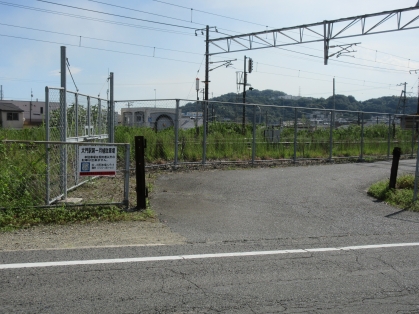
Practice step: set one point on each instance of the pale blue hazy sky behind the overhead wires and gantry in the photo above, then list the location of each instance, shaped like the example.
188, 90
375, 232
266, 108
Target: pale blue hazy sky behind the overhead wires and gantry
151, 48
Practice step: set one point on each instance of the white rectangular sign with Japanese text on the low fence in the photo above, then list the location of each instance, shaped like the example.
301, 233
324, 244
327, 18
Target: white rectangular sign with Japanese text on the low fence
97, 160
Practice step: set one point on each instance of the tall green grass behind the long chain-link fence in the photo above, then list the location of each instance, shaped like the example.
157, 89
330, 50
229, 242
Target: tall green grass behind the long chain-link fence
226, 141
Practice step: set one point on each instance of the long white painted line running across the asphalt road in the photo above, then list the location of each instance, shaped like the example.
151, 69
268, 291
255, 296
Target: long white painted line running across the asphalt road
202, 256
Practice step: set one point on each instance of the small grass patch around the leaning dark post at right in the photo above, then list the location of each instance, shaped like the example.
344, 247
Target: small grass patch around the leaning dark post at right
401, 197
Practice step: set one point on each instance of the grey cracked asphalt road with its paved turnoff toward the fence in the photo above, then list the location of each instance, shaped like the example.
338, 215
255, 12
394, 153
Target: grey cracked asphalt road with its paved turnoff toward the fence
296, 240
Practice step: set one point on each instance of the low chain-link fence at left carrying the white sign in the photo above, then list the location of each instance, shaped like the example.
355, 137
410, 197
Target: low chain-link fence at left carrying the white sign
32, 174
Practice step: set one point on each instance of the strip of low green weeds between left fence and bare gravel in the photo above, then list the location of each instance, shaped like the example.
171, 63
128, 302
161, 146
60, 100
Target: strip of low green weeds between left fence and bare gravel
11, 219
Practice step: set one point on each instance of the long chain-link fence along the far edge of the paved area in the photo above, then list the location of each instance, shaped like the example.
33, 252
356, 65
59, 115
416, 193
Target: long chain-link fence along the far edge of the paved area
214, 132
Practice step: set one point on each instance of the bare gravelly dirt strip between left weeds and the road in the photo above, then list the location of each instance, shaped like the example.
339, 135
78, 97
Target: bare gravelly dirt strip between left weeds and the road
98, 234
